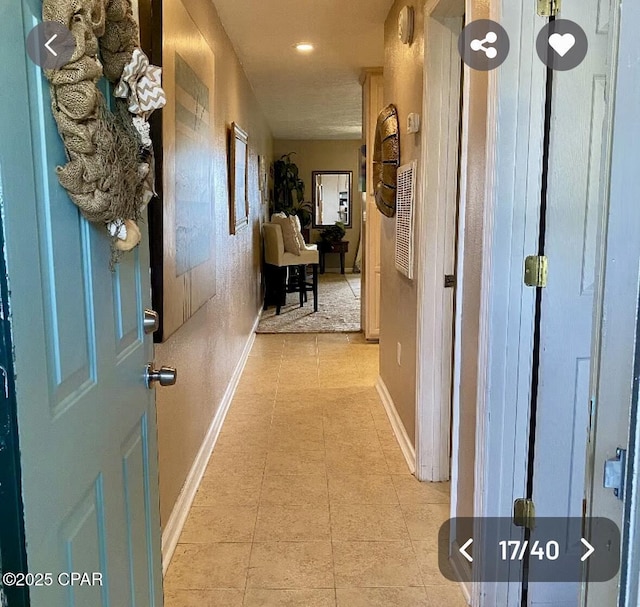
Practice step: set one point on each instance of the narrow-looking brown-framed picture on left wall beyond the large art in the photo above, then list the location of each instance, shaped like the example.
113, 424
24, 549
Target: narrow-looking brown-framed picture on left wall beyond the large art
238, 179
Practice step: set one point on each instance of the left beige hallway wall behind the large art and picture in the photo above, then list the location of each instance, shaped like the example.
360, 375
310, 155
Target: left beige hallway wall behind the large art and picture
208, 346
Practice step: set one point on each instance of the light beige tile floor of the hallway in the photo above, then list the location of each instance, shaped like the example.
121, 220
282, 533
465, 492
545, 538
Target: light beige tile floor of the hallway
307, 500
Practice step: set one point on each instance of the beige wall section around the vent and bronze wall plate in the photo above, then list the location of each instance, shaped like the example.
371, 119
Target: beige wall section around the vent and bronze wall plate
403, 81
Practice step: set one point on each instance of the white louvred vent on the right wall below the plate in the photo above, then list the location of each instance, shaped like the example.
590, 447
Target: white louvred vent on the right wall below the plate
405, 198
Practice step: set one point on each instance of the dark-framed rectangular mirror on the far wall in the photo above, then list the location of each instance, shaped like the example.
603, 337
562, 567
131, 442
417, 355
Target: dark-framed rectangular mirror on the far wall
331, 198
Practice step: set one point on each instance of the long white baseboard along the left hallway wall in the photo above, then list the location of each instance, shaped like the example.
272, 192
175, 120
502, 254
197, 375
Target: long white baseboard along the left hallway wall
173, 528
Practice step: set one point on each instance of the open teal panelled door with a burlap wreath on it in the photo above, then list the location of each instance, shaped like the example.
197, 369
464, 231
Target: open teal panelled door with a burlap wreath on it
86, 420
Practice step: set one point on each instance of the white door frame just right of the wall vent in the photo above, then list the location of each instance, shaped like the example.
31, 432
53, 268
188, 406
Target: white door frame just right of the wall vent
440, 156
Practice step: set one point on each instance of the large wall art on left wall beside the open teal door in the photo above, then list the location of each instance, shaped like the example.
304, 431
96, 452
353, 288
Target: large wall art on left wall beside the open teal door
183, 227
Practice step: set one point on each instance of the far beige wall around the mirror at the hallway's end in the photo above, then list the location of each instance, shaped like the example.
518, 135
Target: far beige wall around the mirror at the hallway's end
333, 155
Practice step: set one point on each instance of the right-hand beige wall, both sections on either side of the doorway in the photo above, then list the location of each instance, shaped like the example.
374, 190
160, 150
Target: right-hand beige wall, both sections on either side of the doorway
403, 72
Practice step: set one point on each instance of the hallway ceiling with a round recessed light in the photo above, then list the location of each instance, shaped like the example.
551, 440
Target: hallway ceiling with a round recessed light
315, 95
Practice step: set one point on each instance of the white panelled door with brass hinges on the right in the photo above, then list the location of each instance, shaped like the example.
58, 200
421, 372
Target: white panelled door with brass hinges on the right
571, 226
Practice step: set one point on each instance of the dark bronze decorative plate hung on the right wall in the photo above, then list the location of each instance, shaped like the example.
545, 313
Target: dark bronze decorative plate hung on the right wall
386, 159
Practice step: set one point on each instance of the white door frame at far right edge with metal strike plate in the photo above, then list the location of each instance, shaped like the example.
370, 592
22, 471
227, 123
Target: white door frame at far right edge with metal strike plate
617, 365
